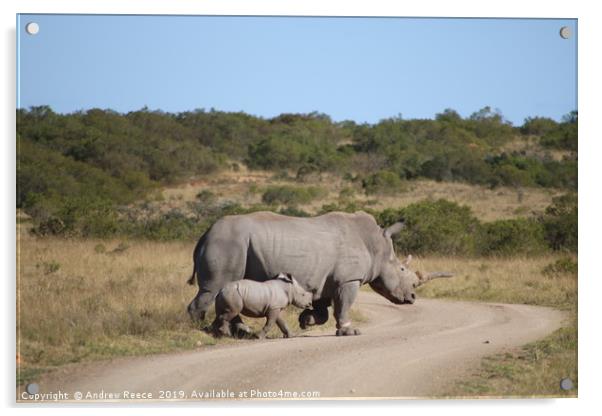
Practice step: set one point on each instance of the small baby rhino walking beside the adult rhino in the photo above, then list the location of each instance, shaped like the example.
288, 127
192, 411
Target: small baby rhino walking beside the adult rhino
257, 300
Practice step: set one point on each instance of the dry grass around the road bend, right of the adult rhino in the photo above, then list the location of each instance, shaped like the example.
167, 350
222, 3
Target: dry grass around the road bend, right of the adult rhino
537, 368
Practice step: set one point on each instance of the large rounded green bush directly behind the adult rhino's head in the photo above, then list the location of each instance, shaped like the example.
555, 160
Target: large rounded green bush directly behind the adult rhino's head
440, 226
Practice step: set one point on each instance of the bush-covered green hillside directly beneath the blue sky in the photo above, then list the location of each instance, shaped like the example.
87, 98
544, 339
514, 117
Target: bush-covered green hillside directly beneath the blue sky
77, 173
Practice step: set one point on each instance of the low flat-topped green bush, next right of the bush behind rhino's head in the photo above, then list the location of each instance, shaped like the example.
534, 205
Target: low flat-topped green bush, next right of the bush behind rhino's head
514, 236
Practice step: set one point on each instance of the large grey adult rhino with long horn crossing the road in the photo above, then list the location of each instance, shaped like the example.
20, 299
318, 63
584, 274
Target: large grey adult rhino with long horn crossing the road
331, 256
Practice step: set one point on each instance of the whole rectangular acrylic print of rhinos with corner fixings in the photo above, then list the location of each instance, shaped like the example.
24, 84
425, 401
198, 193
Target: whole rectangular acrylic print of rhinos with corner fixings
363, 207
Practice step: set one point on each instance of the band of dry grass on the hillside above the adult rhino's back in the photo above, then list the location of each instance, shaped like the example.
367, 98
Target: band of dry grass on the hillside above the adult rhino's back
245, 187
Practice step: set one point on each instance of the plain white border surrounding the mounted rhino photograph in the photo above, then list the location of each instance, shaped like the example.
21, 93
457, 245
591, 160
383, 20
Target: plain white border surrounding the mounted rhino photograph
589, 108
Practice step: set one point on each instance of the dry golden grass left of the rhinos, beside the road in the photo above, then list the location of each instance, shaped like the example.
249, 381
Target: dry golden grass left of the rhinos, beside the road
83, 300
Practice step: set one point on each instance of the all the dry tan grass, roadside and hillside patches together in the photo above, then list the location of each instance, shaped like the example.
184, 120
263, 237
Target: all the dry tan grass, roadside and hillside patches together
82, 300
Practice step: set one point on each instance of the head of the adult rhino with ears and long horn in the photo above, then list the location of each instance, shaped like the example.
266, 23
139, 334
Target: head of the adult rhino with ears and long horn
396, 281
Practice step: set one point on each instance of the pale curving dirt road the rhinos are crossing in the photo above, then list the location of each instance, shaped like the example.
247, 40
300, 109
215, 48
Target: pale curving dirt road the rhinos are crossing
404, 351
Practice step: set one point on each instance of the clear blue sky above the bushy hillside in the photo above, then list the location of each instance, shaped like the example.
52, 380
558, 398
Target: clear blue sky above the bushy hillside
361, 69
